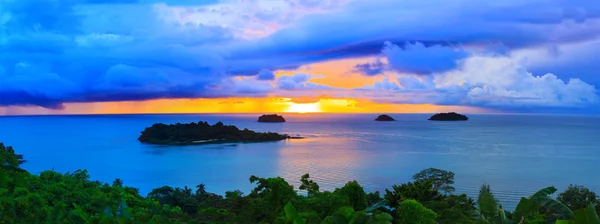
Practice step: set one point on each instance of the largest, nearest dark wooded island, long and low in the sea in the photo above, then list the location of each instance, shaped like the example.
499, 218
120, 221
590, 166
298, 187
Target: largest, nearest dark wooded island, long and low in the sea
203, 133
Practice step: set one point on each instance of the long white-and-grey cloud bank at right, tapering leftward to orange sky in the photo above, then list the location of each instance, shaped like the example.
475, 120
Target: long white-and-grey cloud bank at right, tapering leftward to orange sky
487, 81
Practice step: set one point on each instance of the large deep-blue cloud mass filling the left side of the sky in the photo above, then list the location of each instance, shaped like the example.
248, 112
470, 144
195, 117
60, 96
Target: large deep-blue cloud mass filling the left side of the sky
114, 50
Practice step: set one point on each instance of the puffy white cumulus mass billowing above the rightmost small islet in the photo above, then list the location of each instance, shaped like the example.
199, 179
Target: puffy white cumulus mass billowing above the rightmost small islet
501, 81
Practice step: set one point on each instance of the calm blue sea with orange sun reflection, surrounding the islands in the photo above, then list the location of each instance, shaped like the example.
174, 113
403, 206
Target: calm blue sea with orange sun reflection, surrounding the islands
515, 154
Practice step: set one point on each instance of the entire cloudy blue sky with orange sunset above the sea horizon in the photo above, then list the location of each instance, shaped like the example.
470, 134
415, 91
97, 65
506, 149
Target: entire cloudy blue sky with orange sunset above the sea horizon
337, 56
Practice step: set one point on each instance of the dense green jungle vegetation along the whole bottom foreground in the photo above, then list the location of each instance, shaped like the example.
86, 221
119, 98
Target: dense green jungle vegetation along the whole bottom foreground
52, 197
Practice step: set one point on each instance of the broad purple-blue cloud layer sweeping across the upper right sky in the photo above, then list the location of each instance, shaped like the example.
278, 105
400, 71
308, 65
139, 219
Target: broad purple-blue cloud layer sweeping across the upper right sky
447, 23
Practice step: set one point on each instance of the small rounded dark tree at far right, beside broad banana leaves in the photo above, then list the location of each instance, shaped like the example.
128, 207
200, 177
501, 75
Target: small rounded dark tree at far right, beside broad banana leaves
578, 197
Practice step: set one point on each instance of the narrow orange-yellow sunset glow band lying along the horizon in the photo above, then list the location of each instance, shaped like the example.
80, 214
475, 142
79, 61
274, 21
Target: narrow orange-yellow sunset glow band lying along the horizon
241, 105
